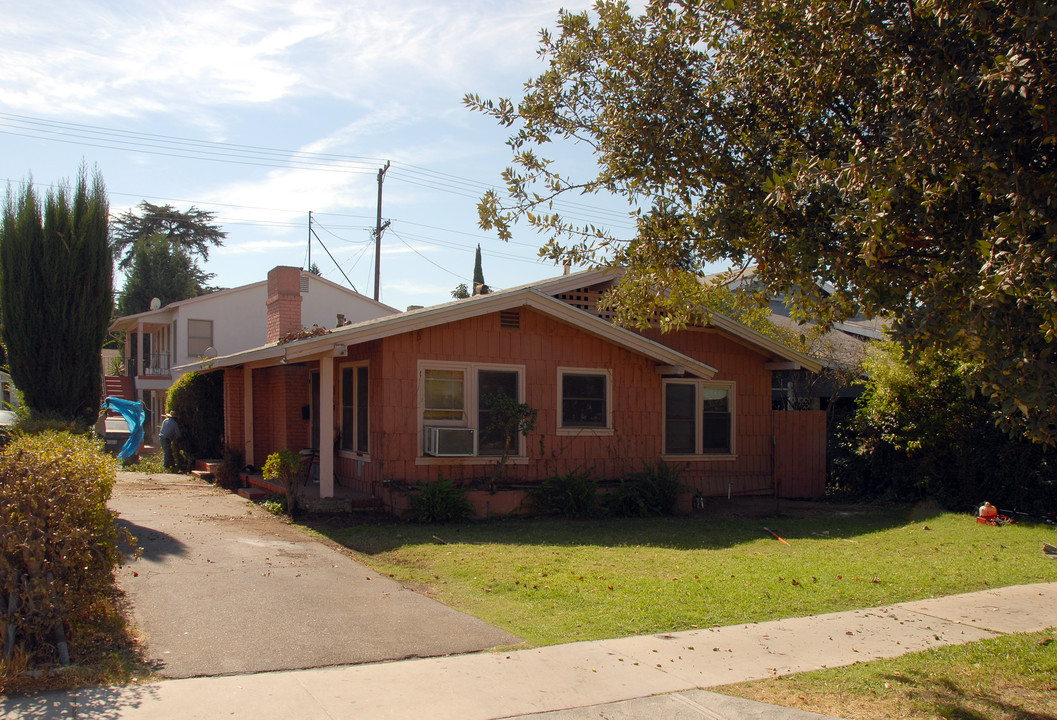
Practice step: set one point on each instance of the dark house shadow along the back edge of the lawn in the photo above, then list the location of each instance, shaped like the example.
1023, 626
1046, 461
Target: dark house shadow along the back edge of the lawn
722, 525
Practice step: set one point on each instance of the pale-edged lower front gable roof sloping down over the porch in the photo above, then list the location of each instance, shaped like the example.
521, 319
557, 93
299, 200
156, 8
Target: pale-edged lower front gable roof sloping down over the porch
527, 297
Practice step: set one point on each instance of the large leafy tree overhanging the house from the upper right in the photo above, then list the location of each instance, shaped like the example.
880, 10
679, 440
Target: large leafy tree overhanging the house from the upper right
903, 153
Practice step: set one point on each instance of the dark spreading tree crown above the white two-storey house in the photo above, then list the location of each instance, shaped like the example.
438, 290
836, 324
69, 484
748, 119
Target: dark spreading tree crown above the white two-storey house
195, 231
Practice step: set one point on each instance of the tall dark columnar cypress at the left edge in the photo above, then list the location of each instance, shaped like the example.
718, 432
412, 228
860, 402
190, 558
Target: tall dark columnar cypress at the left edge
57, 296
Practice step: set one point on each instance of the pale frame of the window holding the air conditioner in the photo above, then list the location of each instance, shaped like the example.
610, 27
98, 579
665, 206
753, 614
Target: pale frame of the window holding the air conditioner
470, 411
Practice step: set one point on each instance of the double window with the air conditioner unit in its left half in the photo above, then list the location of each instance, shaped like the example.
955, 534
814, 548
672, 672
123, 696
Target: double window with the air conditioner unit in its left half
458, 408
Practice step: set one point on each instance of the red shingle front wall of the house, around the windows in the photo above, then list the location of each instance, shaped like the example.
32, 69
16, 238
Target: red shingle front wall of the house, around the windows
542, 345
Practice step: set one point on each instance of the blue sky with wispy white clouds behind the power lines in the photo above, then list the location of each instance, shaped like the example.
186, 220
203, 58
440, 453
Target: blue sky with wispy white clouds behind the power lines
263, 112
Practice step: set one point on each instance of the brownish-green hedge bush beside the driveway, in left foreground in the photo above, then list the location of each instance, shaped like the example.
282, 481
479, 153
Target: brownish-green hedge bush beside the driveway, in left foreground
59, 541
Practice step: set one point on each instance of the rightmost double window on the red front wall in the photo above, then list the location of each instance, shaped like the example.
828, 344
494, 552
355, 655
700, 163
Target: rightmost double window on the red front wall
698, 418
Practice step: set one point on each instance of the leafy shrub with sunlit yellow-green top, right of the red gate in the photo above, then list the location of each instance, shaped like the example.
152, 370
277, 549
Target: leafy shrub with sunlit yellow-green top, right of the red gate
922, 430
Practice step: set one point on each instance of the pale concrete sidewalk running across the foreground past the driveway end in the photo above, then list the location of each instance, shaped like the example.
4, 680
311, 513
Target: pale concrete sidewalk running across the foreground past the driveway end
647, 677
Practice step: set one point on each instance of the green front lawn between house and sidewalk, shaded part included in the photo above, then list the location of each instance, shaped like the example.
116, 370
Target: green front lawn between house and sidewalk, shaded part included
563, 581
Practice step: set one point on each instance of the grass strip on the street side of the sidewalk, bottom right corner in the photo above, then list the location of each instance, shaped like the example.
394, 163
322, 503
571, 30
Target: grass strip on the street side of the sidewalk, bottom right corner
1009, 678
